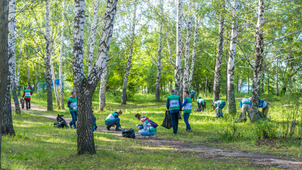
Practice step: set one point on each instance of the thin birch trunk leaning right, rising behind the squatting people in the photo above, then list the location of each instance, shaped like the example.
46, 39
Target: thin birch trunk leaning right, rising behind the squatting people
125, 80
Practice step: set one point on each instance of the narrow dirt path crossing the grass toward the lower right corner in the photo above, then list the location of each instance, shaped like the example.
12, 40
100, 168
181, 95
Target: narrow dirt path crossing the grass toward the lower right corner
259, 160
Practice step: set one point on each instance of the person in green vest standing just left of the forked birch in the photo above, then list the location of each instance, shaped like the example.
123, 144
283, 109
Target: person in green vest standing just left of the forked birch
73, 108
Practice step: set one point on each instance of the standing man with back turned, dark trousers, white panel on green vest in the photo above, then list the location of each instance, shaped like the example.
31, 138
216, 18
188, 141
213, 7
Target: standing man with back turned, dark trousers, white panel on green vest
173, 105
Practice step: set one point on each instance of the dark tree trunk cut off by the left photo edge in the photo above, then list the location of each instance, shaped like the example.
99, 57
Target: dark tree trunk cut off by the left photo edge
3, 58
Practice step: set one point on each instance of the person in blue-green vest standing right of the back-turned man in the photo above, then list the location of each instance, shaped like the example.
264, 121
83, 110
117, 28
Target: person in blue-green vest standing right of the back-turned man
187, 109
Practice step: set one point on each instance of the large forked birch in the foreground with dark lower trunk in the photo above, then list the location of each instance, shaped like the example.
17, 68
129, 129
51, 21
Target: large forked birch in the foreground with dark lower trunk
85, 87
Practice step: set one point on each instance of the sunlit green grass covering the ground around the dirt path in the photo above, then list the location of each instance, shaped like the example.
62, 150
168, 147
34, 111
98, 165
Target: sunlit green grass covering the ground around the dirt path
38, 145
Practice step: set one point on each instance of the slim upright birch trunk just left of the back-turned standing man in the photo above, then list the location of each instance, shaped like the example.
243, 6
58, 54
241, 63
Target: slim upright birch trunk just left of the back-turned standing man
158, 76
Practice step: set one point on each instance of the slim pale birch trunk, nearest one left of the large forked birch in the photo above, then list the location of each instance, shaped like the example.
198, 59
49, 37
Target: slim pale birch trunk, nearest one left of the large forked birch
61, 57
